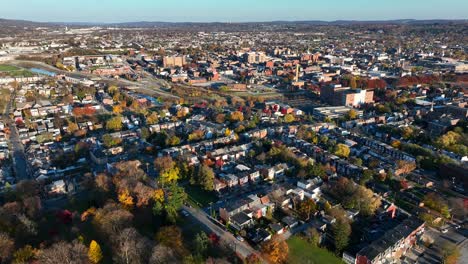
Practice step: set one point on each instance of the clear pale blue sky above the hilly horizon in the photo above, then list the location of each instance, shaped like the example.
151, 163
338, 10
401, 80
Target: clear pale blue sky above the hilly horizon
229, 10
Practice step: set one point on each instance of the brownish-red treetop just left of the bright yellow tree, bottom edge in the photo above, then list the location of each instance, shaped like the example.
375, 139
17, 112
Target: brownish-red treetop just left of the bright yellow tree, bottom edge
63, 252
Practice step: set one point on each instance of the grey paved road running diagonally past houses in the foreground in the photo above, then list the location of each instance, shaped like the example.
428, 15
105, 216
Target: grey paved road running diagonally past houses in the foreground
241, 248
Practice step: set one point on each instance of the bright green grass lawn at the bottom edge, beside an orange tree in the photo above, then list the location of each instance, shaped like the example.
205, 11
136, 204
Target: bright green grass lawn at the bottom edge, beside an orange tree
301, 252
